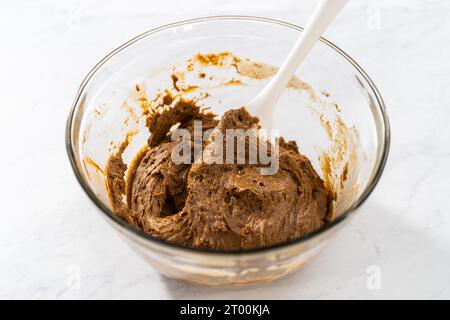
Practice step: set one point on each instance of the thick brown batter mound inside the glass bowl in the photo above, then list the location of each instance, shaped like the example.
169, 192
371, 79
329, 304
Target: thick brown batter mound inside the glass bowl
219, 206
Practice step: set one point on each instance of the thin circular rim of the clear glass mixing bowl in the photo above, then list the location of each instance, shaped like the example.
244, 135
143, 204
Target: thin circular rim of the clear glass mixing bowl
148, 237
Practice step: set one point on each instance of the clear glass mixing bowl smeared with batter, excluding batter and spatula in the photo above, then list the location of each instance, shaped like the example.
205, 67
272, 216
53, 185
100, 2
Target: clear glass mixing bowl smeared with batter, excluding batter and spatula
98, 121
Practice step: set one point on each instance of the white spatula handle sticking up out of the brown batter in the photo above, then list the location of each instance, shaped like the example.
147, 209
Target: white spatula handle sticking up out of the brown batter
263, 105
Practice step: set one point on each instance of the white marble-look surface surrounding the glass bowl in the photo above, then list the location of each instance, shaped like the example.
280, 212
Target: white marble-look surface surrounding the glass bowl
49, 228
